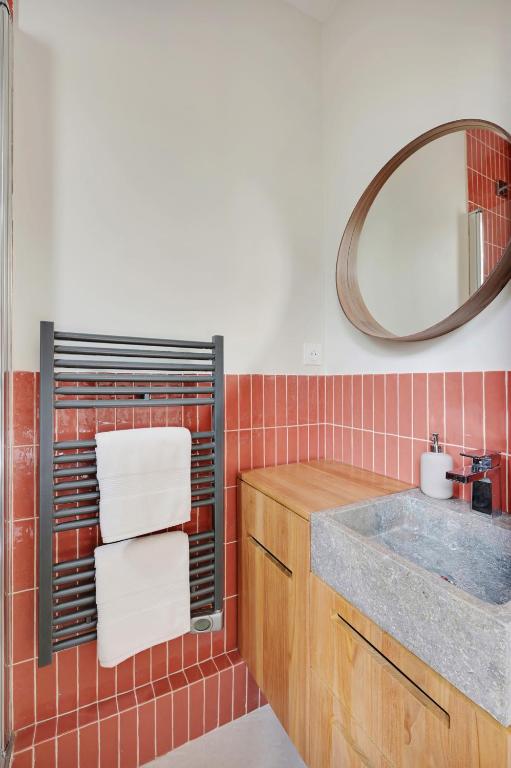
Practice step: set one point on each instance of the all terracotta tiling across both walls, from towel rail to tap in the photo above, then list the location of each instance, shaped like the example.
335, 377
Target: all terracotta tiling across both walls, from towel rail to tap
75, 713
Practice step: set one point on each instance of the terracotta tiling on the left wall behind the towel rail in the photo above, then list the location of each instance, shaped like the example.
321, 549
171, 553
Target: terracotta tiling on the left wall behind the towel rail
76, 713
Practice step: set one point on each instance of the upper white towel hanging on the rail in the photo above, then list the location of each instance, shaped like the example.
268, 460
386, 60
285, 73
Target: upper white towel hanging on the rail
144, 480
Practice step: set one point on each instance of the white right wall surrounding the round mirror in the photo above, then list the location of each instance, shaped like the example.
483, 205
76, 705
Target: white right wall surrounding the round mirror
390, 72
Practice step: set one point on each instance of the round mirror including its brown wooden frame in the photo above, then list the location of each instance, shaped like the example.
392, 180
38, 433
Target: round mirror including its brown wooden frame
428, 245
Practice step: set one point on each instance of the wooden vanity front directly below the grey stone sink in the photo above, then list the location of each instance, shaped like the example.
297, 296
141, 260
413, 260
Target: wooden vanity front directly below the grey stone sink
374, 704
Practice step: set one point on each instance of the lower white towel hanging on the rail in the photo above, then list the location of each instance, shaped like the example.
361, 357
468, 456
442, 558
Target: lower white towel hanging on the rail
142, 594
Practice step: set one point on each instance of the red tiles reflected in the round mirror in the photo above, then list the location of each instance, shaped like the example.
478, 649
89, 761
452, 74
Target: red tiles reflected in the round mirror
489, 160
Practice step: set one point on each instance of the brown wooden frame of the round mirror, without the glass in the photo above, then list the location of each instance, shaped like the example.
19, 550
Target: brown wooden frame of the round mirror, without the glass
348, 289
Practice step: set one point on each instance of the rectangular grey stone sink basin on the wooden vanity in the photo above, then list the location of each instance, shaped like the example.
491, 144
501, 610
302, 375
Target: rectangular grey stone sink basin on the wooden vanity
434, 575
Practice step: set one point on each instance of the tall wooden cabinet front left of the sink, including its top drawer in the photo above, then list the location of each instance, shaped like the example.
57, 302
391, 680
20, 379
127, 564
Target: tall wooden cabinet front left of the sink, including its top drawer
273, 613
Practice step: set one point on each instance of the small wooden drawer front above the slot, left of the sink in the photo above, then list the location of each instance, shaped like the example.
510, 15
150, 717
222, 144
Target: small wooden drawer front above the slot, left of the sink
273, 526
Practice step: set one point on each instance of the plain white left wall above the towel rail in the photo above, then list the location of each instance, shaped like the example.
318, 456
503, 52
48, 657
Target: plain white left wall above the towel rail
167, 175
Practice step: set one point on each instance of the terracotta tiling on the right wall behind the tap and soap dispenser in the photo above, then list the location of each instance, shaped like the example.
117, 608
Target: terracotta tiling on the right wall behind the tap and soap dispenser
383, 422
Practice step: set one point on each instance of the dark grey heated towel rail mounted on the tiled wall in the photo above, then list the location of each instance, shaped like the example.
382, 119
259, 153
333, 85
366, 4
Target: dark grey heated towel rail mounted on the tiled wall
88, 371
